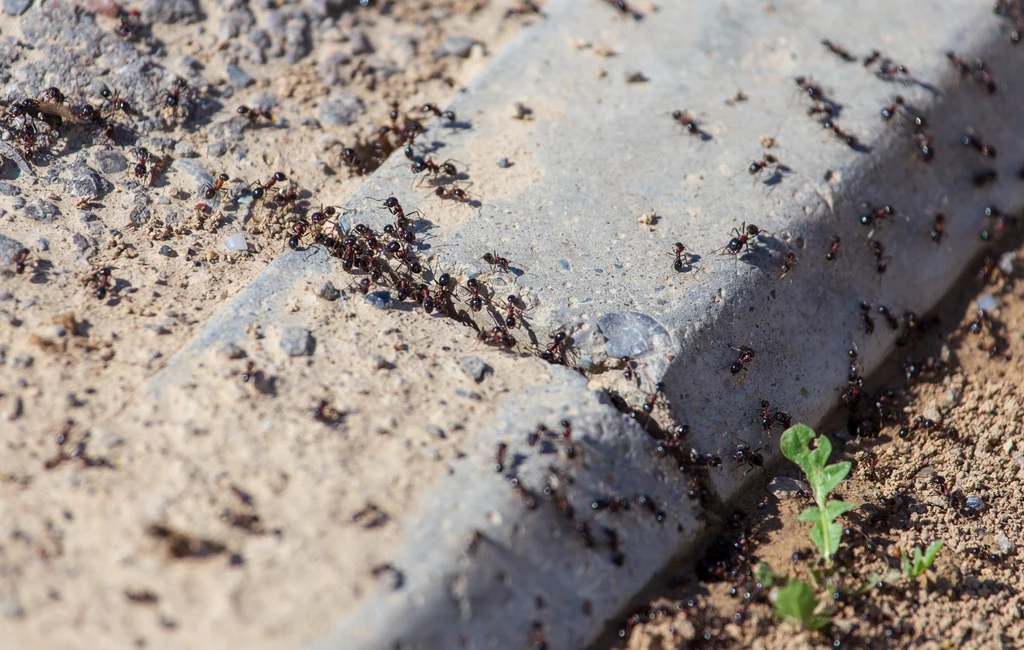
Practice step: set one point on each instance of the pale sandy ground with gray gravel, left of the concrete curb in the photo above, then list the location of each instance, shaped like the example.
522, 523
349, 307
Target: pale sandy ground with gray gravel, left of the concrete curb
225, 506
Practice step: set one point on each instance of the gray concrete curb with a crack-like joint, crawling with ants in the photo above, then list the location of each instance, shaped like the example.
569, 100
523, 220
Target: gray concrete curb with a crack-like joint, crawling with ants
596, 154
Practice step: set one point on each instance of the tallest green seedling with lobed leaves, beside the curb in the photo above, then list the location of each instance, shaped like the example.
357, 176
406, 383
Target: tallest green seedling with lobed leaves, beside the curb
824, 479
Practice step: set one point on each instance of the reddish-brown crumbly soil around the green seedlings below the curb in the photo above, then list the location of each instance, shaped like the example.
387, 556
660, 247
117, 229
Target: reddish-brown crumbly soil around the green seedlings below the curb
958, 417
